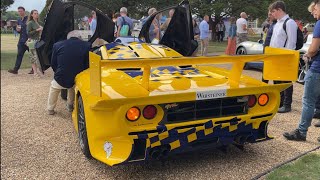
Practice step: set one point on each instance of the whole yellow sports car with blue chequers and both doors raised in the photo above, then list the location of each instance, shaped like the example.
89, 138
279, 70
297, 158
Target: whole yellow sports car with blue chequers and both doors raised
145, 98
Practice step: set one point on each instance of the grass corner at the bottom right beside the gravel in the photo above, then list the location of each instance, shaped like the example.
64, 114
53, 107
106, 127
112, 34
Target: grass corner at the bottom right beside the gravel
307, 167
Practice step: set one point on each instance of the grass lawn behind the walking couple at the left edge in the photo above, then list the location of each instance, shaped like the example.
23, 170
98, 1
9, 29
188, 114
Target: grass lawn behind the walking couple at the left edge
9, 52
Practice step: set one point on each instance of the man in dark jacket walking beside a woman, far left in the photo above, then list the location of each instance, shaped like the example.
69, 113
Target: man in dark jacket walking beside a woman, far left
22, 48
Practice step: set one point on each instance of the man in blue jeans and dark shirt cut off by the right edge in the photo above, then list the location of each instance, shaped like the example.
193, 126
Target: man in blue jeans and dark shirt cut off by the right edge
311, 85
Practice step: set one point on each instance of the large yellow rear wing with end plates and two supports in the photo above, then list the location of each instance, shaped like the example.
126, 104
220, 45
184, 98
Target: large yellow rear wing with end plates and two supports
279, 64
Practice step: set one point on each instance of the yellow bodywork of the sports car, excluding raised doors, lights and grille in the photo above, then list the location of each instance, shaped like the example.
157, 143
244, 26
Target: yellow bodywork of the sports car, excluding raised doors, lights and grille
108, 92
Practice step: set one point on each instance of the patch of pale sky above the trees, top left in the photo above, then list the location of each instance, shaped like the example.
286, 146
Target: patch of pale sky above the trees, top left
28, 5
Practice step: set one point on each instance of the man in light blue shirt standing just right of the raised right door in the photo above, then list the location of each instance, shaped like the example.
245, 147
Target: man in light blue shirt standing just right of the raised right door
204, 35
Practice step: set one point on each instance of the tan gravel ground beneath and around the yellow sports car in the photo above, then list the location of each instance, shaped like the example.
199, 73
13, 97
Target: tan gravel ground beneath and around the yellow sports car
35, 145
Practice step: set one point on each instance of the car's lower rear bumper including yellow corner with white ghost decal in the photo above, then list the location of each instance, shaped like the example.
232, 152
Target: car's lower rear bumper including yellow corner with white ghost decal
165, 140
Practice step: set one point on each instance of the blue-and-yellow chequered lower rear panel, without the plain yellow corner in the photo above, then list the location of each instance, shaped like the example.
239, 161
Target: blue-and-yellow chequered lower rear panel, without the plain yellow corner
157, 145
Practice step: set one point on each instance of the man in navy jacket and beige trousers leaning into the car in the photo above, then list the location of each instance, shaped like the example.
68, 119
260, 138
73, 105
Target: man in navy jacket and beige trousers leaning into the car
69, 58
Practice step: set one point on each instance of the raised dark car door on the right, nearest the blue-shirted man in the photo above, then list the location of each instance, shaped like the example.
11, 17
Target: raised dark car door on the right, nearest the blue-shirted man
178, 34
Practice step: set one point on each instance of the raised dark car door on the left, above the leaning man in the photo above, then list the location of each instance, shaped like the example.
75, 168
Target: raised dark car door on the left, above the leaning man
64, 17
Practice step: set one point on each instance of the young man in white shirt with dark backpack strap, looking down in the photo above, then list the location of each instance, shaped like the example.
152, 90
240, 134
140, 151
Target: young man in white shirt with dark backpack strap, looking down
283, 39
